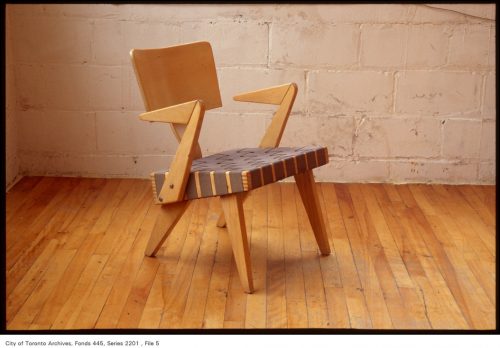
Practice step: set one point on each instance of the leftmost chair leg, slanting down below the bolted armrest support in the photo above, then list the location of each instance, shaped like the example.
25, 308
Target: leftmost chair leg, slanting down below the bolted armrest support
165, 222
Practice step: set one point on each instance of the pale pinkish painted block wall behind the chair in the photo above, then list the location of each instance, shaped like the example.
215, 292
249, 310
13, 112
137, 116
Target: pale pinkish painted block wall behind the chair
398, 93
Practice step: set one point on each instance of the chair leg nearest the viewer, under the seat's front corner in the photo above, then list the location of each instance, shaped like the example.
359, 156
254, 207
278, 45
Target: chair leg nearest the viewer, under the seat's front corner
232, 205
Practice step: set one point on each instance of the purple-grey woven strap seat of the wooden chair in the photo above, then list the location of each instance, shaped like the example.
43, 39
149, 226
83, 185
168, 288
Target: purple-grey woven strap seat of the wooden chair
244, 169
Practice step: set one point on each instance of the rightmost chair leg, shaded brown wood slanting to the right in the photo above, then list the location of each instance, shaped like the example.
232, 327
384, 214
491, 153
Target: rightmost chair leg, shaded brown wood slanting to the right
307, 188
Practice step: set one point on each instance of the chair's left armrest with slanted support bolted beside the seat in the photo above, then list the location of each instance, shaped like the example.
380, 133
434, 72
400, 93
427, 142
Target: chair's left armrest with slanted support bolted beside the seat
191, 115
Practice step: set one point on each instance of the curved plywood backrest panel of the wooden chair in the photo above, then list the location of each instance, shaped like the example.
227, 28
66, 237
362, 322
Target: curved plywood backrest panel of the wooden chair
177, 74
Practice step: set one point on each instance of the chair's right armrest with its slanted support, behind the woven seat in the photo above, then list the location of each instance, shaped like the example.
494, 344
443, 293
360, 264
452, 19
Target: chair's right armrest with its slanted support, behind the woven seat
284, 96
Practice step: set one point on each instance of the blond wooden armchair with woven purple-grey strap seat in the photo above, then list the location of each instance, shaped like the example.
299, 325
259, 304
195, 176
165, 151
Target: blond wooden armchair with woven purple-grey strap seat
178, 84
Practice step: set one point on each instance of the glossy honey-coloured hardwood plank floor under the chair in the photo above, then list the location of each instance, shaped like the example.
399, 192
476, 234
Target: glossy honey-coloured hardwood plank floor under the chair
403, 257
